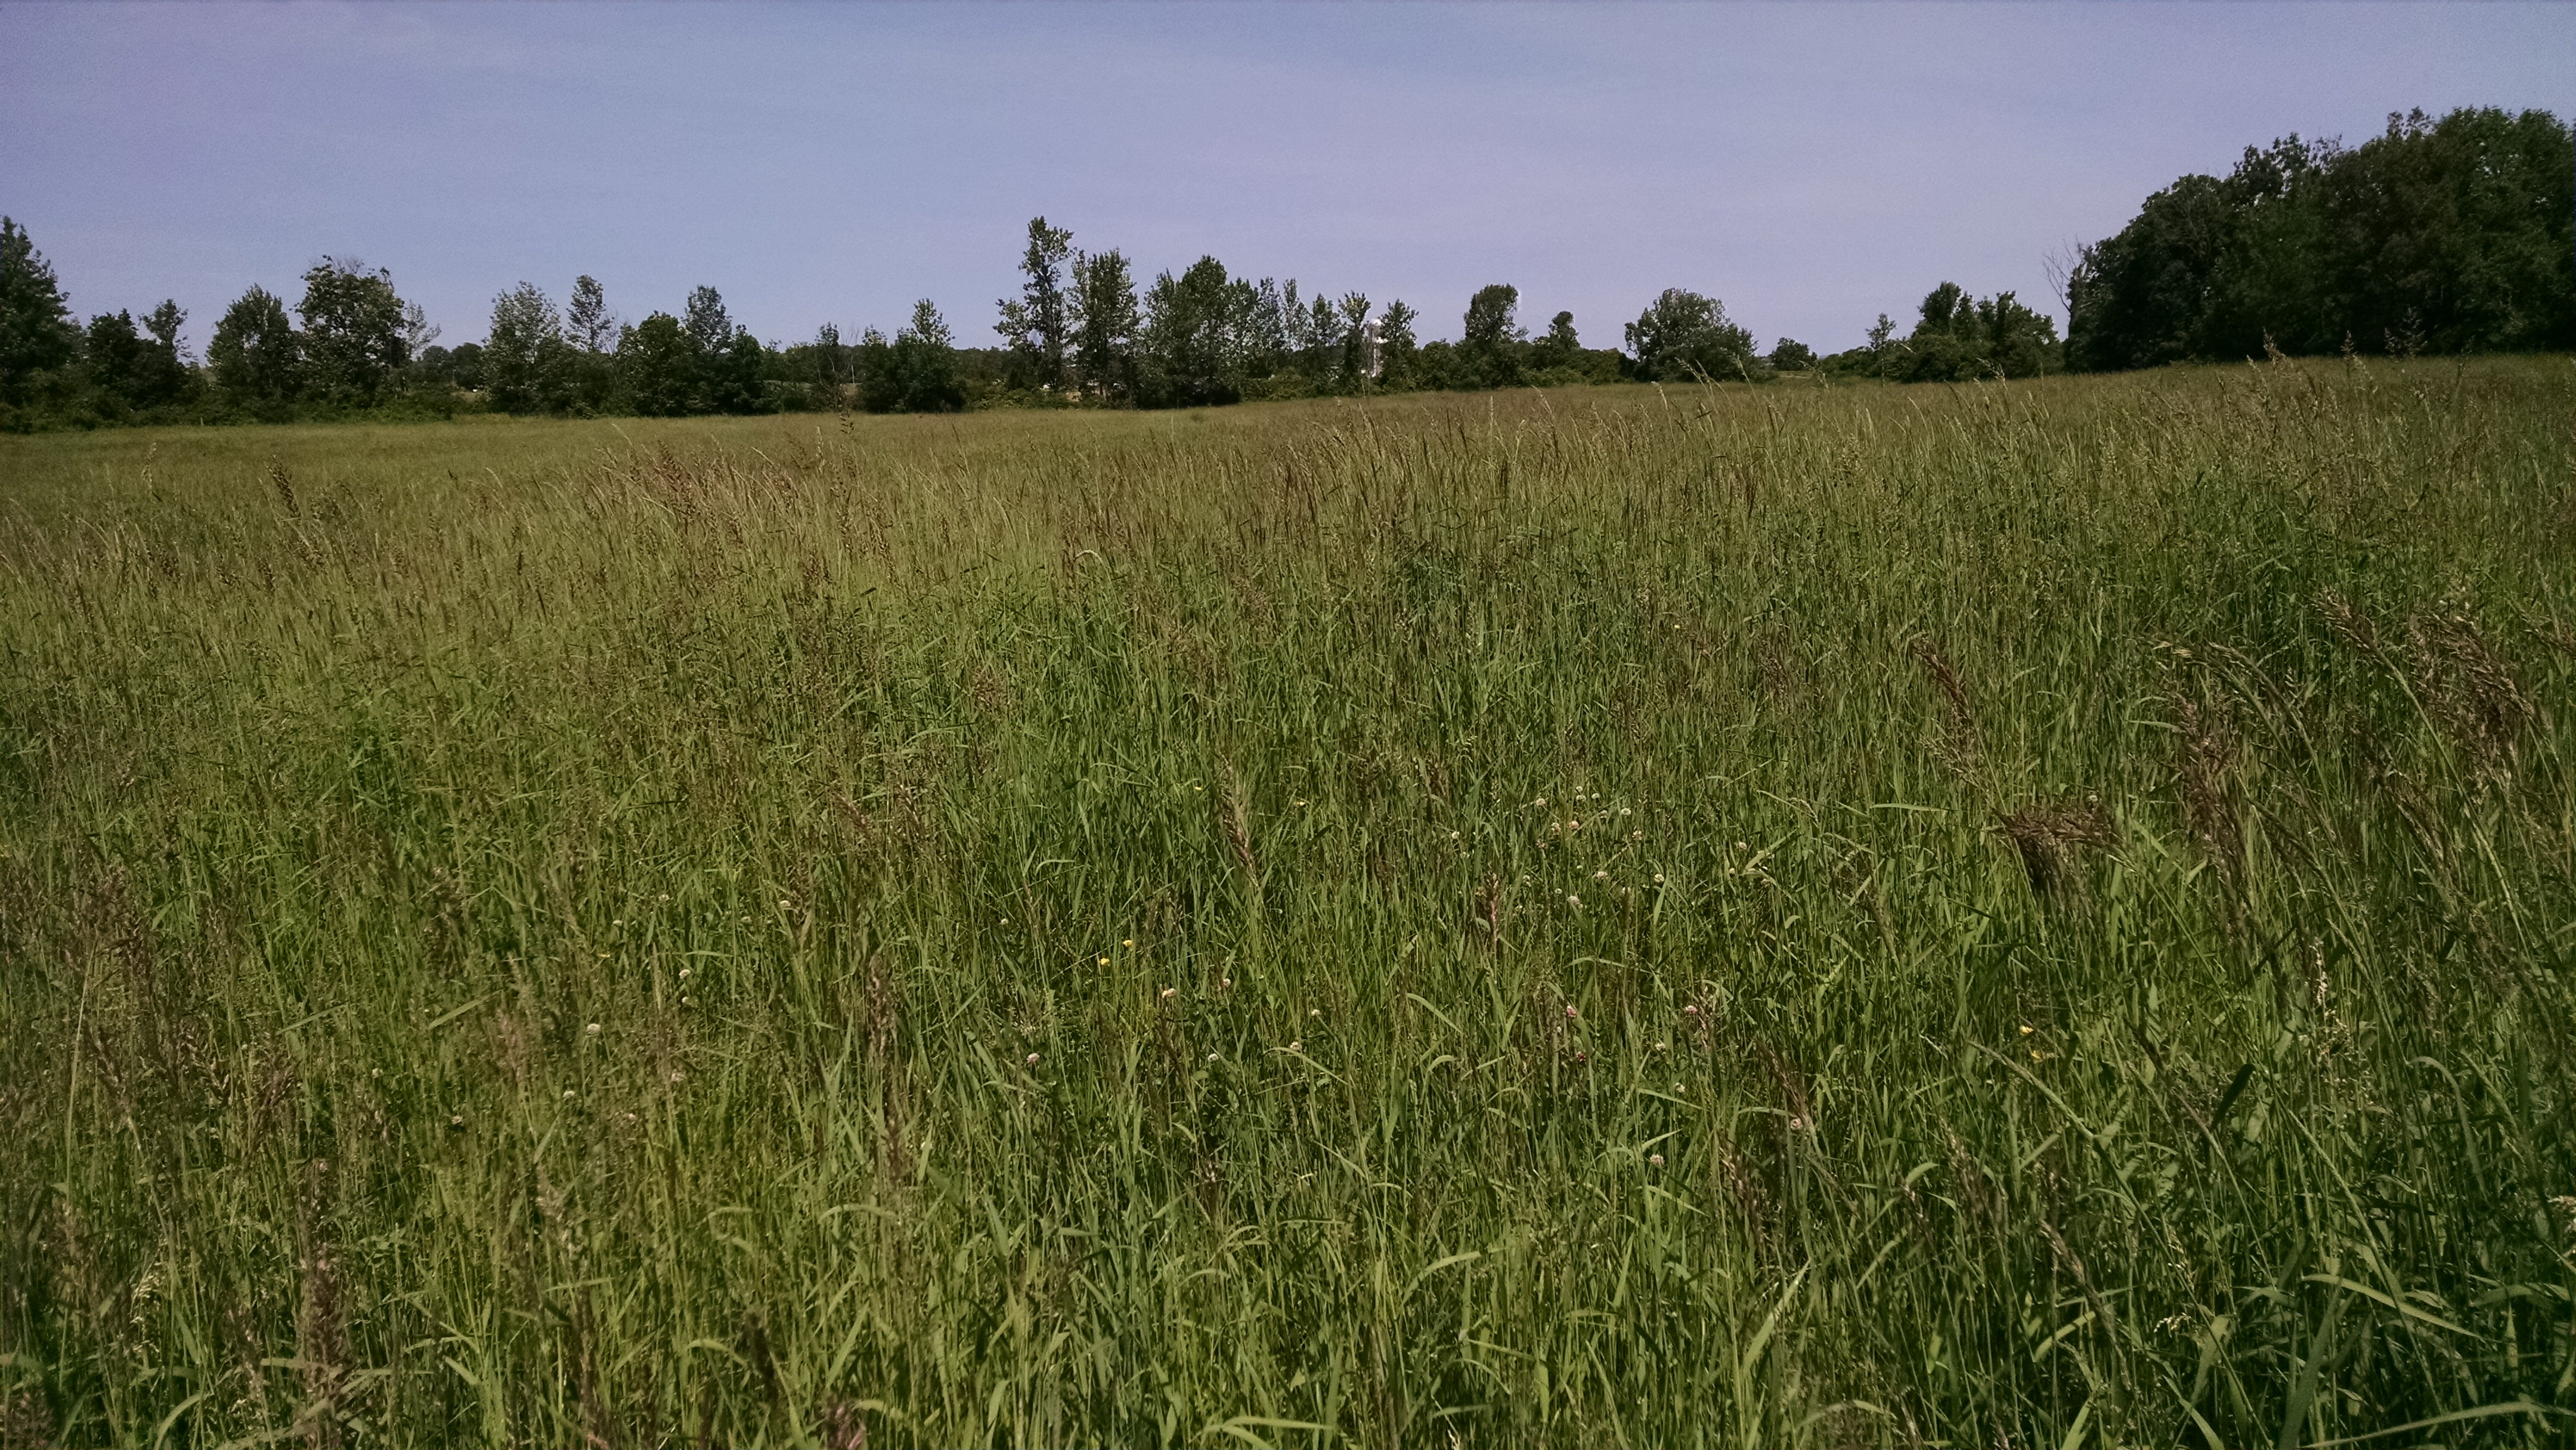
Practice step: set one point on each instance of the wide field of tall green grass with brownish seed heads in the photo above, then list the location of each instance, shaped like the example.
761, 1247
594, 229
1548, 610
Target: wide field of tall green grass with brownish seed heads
2011, 916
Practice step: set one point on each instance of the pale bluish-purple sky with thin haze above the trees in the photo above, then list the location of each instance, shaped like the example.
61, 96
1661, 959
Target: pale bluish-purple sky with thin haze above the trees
1812, 166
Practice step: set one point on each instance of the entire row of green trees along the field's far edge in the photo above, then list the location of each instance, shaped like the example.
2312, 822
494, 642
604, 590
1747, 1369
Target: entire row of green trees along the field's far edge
2436, 238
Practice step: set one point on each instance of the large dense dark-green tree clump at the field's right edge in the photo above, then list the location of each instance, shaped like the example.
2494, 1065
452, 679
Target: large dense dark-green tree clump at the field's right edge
2451, 236
